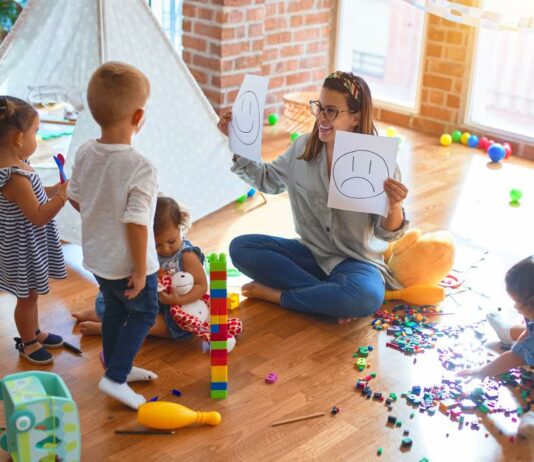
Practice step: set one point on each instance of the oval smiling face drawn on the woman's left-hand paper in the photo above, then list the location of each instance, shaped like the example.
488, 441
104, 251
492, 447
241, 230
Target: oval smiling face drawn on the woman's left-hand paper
246, 118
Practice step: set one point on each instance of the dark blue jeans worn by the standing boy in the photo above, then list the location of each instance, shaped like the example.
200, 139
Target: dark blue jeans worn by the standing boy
125, 323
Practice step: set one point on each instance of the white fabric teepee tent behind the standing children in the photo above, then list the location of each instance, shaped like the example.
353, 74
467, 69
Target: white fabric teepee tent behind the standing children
57, 44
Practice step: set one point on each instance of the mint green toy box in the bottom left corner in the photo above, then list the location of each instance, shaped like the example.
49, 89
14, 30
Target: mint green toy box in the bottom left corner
41, 418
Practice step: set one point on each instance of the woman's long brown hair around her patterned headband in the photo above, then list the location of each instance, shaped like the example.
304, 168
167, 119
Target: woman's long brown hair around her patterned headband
361, 103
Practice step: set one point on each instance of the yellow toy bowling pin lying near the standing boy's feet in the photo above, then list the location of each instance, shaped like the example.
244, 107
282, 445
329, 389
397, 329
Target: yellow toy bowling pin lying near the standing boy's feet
163, 415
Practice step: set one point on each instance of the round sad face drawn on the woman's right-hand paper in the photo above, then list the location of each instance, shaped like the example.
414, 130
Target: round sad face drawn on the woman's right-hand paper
355, 174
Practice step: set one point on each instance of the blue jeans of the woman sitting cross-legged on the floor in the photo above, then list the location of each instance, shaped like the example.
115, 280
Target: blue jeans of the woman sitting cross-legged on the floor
353, 288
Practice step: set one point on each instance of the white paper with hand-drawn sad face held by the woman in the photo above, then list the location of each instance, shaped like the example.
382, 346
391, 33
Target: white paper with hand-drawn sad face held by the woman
360, 165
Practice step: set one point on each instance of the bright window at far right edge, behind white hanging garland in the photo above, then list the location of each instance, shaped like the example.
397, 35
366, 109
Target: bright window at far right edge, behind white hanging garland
502, 87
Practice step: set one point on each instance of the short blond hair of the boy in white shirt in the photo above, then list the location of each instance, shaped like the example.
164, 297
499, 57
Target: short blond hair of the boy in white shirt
116, 90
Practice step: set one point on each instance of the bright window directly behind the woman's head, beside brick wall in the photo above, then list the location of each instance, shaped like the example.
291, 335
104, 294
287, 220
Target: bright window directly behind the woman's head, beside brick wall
381, 40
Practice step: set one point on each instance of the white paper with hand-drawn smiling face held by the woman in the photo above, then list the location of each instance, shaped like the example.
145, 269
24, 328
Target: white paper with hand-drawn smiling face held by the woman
245, 131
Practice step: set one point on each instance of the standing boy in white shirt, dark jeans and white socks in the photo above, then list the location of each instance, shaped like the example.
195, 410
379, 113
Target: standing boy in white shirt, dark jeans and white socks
114, 188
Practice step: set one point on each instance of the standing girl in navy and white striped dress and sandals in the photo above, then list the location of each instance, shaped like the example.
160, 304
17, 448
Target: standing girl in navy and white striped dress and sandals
30, 251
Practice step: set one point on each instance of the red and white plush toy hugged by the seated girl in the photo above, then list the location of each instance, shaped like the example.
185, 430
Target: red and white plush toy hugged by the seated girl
195, 317
